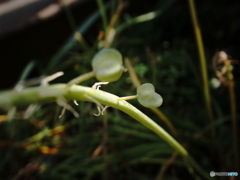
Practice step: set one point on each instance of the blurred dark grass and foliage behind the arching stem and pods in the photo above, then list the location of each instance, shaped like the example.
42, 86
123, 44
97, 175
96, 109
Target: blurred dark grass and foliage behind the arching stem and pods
163, 52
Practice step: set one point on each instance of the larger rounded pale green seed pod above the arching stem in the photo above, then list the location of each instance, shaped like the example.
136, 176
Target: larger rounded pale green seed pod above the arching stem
107, 65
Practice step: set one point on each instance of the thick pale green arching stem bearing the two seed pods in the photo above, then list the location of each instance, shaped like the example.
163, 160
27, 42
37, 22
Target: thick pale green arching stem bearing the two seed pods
31, 95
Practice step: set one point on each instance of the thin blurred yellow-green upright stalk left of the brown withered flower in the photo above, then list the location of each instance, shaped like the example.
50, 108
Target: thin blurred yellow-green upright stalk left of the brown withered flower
203, 66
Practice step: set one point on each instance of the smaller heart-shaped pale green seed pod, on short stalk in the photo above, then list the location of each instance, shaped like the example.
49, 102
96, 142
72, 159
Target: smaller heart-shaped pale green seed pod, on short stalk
147, 96
